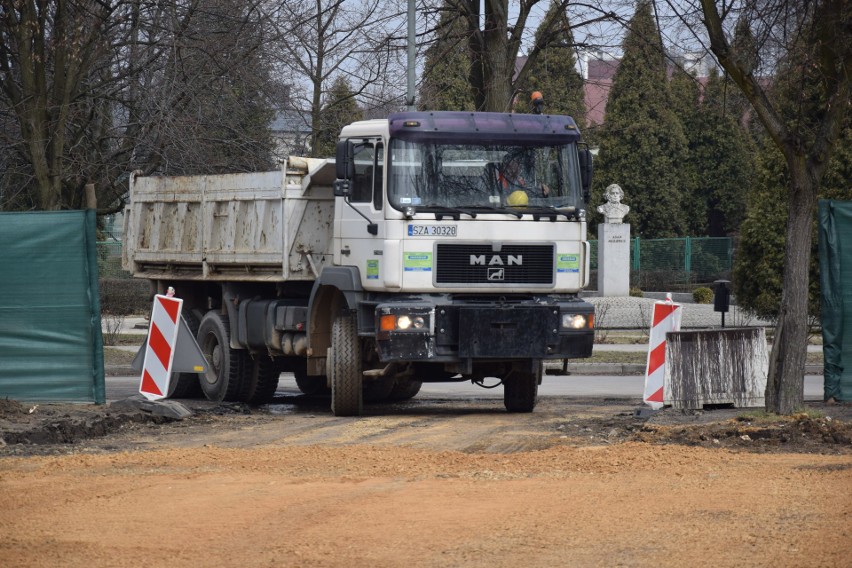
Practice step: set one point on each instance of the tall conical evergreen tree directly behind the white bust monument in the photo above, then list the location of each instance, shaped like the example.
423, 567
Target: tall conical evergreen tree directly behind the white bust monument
643, 147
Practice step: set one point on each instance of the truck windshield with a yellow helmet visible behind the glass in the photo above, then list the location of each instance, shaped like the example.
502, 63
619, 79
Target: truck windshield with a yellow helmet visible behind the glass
431, 174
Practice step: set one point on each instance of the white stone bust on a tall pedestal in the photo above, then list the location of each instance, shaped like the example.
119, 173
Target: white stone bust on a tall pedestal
613, 245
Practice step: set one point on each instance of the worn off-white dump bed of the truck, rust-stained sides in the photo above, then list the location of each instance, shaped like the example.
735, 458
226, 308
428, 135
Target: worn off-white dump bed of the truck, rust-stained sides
266, 226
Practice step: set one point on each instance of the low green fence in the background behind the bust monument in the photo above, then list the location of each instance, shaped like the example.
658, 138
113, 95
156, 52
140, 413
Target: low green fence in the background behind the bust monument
669, 264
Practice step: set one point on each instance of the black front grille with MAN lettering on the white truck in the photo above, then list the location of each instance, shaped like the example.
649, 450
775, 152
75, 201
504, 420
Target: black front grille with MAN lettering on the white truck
479, 264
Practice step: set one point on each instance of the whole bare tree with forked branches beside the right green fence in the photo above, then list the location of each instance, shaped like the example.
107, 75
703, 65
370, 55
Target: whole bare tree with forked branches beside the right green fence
809, 43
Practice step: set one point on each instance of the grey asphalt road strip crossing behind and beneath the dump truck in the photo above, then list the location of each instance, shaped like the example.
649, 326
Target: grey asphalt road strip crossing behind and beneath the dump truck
594, 386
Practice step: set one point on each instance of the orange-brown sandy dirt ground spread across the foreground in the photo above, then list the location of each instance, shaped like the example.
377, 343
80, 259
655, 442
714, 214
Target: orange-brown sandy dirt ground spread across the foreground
437, 483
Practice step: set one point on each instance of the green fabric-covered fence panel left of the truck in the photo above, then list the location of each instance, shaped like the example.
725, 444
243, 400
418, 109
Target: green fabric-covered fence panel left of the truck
51, 347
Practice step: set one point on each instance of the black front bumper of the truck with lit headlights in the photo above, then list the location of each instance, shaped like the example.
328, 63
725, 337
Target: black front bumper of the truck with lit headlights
451, 329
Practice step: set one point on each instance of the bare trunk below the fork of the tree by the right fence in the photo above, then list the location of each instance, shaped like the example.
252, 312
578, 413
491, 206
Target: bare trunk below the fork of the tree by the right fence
785, 383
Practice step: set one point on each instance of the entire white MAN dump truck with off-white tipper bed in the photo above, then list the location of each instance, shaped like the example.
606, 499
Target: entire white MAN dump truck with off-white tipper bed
437, 246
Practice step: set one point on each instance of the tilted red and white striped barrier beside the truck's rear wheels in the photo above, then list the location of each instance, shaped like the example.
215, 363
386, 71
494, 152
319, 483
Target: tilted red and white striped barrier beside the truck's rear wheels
160, 348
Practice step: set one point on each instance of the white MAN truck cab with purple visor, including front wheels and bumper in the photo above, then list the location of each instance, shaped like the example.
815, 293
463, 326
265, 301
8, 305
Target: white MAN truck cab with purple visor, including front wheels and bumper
459, 250
